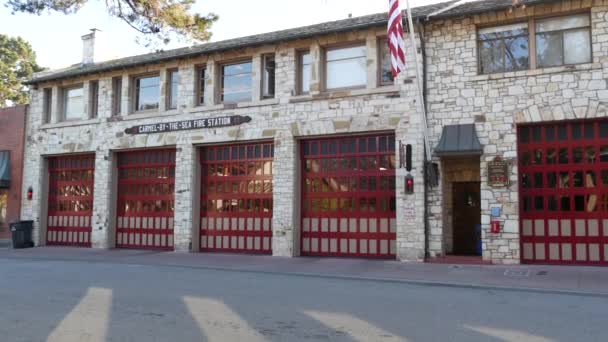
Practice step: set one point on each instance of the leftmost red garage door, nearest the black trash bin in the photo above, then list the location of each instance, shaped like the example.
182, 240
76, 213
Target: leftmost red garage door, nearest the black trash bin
70, 202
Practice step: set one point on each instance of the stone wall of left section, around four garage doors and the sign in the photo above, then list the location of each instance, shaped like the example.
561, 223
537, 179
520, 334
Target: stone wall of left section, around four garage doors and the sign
284, 119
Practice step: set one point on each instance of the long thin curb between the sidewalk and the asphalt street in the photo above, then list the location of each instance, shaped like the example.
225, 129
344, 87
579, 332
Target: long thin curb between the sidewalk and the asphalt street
413, 282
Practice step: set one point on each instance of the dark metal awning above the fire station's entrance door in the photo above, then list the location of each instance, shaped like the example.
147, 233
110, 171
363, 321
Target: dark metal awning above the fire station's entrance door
459, 140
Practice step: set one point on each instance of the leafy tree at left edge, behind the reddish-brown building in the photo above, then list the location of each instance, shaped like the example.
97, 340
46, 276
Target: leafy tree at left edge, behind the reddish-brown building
17, 64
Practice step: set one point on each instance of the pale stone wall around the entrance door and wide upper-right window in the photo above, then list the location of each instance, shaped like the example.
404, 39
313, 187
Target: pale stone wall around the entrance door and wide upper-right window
496, 103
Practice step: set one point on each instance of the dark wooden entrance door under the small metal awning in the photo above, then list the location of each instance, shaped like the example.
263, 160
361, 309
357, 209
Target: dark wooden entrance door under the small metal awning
466, 216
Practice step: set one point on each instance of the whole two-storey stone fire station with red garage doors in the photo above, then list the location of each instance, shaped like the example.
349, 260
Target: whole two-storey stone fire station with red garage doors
288, 142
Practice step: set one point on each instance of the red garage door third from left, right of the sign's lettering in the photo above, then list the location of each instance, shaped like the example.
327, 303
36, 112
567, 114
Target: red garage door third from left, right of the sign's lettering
236, 198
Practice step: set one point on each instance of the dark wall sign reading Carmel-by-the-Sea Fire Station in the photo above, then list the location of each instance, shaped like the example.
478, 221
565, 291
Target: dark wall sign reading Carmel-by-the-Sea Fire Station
163, 127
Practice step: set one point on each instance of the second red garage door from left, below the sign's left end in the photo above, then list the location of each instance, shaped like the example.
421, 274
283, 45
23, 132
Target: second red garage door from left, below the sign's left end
146, 186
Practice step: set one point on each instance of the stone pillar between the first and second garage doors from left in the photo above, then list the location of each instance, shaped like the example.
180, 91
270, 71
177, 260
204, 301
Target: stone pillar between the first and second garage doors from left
104, 201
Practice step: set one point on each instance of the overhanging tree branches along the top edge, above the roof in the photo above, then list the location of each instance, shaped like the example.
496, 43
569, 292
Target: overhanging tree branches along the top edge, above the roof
157, 20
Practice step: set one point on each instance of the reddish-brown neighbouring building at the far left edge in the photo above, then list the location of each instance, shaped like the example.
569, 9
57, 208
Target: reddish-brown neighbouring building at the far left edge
12, 137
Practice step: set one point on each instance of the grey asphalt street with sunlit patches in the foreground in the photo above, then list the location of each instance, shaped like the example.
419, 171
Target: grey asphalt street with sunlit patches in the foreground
68, 301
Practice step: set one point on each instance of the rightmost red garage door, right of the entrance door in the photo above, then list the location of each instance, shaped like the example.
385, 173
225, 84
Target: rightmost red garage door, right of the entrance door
563, 186
